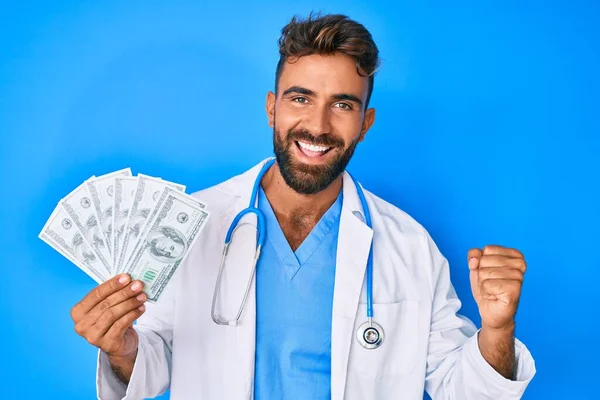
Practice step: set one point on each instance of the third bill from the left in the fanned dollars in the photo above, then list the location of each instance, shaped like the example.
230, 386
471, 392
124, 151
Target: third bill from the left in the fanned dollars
102, 191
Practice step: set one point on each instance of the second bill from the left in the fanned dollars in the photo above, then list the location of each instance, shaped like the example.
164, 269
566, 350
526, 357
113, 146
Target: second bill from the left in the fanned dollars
78, 204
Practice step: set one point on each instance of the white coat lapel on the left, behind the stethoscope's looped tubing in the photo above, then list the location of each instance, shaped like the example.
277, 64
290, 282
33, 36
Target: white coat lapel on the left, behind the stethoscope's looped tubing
236, 274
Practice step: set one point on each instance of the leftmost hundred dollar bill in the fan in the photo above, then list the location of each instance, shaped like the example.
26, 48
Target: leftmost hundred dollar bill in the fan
61, 233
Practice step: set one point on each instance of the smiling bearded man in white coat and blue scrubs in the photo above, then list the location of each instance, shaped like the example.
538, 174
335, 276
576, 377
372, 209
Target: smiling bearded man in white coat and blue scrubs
297, 335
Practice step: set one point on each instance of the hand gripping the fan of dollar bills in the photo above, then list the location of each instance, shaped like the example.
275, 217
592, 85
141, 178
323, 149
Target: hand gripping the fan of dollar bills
105, 316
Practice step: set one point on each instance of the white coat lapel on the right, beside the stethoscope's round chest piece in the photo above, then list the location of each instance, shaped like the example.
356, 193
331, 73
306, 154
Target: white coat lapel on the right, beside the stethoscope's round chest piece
354, 241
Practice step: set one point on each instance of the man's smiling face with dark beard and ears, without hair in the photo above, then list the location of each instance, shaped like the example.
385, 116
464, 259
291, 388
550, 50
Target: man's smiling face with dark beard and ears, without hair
318, 118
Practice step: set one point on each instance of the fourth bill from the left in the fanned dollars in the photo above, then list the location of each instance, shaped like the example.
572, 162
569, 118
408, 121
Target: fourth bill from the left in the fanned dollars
124, 190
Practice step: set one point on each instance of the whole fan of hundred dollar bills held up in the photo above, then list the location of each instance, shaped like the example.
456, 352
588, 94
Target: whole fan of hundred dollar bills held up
119, 223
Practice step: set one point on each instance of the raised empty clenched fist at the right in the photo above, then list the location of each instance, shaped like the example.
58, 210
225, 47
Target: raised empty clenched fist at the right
496, 280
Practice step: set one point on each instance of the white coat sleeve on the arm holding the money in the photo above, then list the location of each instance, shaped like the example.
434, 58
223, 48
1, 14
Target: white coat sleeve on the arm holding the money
152, 368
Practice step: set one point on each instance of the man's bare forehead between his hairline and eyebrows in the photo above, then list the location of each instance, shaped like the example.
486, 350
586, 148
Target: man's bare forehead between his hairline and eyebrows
324, 74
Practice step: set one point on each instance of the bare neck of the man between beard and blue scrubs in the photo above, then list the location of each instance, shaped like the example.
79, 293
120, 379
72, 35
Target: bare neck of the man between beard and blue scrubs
288, 203
